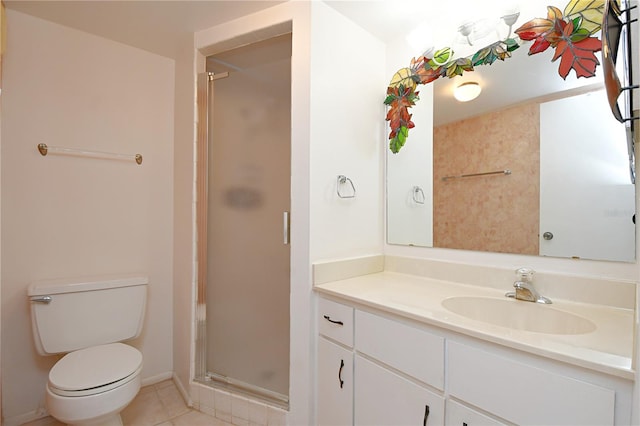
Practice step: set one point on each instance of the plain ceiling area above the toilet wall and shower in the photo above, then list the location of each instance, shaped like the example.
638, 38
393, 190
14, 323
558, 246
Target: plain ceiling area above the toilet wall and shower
155, 26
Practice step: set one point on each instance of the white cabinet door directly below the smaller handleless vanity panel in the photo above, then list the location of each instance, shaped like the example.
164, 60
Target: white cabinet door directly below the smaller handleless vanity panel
382, 397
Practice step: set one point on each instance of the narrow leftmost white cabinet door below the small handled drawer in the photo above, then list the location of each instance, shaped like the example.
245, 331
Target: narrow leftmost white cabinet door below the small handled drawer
335, 384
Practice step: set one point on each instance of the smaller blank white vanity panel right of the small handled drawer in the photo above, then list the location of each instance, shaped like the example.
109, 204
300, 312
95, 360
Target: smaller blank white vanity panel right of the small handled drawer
409, 349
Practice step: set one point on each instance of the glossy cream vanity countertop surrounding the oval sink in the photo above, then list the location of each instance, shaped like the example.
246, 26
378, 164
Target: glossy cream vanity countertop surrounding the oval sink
608, 349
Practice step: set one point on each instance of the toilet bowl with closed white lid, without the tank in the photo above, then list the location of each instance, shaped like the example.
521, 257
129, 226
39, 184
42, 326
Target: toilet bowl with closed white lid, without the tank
91, 386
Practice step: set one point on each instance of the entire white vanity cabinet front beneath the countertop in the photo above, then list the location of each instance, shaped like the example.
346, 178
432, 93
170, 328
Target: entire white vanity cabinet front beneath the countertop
399, 371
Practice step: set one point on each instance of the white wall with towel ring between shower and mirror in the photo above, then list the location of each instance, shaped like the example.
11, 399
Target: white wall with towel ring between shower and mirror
347, 92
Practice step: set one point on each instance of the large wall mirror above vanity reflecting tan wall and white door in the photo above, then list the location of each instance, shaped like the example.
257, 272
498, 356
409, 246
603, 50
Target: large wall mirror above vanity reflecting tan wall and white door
535, 165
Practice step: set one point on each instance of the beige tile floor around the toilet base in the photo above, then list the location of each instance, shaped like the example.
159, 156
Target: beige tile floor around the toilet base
155, 405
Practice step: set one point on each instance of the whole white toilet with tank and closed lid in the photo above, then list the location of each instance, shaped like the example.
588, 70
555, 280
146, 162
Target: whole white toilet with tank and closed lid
87, 320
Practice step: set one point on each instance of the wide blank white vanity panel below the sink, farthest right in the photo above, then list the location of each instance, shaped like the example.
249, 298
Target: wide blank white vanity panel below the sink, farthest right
524, 394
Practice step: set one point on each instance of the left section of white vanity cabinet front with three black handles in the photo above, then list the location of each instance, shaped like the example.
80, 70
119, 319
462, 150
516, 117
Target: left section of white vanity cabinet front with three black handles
391, 373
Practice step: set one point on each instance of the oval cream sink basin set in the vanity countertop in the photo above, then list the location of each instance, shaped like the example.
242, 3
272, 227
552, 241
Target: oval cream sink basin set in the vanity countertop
519, 315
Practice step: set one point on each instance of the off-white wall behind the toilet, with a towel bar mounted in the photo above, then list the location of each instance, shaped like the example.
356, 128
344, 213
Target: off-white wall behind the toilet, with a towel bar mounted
67, 216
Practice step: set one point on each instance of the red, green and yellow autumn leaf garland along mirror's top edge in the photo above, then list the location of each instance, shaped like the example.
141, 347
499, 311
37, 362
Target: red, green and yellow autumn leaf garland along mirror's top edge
569, 32
